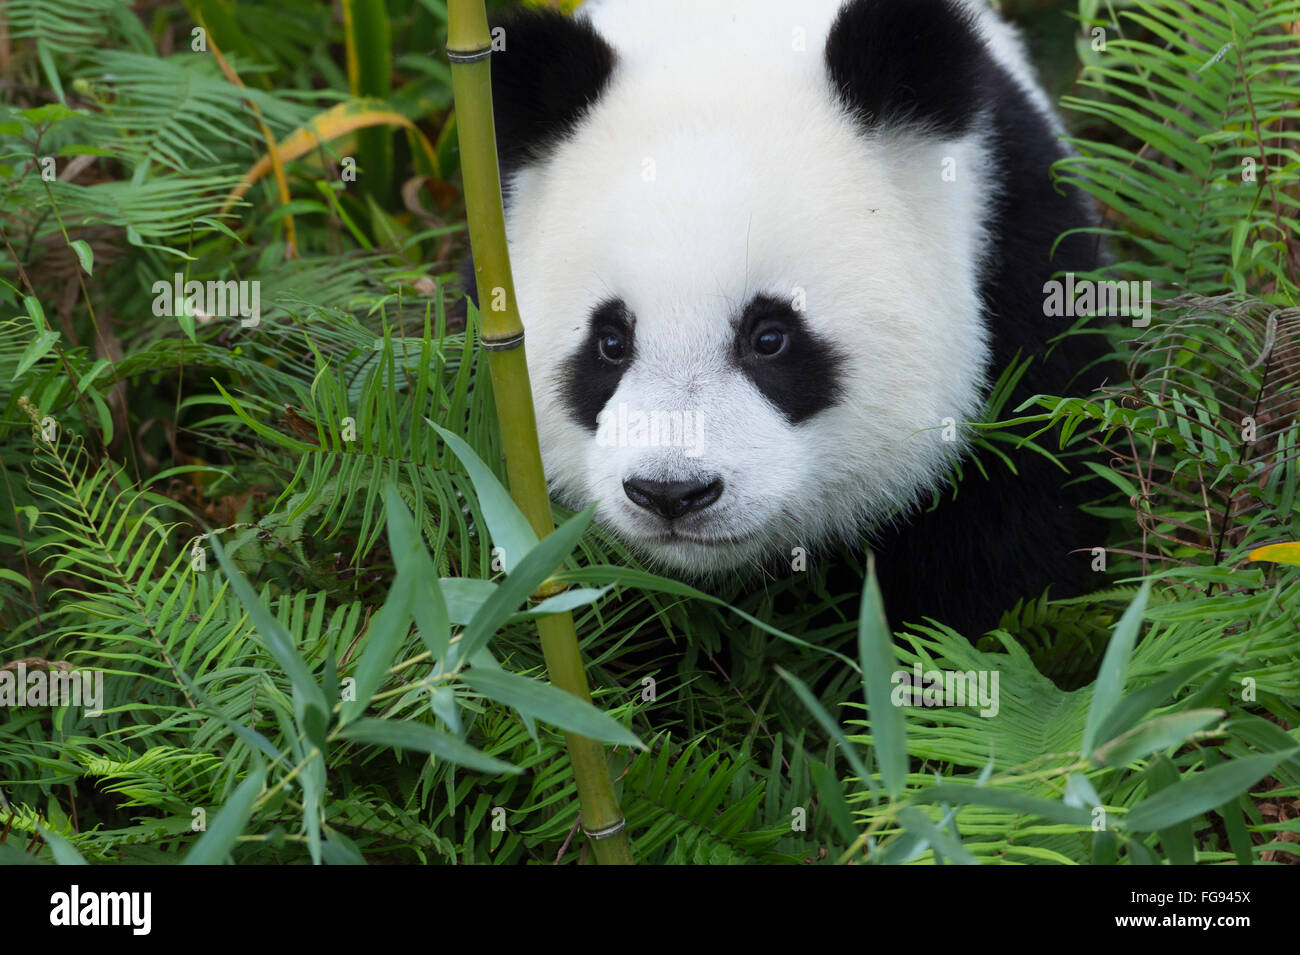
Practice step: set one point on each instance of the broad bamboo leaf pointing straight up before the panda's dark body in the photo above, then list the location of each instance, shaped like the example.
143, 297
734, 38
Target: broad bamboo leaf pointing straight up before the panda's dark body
877, 656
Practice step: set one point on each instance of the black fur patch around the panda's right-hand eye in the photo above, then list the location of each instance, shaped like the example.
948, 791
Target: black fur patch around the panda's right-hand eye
804, 379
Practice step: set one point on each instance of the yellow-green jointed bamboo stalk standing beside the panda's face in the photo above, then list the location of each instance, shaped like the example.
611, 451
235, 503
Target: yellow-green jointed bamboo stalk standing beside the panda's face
470, 47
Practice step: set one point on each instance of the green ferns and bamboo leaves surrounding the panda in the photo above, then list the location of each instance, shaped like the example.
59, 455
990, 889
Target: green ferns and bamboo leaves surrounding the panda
275, 526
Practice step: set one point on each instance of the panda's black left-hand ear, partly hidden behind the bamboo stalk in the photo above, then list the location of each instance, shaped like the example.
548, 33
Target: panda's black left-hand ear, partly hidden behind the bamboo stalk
547, 71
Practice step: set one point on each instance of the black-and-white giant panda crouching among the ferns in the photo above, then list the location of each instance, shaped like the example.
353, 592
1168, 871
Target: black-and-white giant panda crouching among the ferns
768, 254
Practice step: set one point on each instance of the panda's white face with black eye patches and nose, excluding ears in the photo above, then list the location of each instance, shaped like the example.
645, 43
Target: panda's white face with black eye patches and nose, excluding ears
749, 319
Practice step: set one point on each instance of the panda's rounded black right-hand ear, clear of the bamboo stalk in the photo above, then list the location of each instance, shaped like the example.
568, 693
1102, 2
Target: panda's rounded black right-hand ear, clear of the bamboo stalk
909, 64
